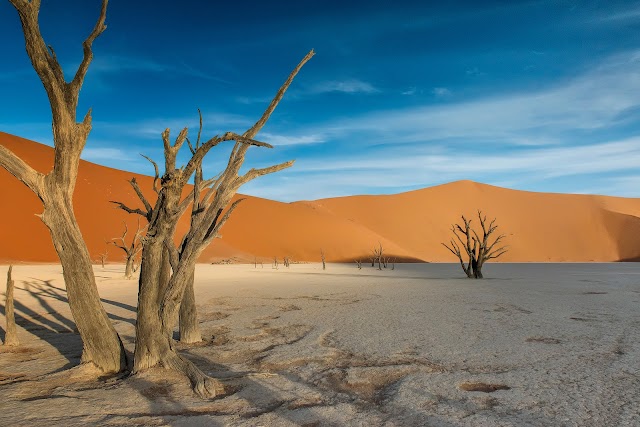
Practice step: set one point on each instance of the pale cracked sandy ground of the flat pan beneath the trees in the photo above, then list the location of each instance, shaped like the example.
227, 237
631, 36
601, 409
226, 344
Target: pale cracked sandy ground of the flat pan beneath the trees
351, 347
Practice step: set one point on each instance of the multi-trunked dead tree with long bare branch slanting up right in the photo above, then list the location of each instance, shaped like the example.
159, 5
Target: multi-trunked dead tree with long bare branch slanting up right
162, 290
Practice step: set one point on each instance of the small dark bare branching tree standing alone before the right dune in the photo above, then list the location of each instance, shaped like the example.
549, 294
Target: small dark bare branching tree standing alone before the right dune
473, 249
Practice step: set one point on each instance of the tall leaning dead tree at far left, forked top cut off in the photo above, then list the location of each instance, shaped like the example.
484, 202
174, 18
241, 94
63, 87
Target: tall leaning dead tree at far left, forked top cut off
101, 343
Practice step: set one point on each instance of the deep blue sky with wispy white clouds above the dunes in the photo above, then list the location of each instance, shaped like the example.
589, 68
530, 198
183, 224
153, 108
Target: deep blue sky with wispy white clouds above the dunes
532, 95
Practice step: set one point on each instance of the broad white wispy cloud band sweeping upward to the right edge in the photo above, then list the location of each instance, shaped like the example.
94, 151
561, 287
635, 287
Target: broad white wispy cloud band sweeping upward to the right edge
598, 99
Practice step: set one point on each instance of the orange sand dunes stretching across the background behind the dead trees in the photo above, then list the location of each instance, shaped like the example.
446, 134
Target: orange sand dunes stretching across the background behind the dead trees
410, 226
